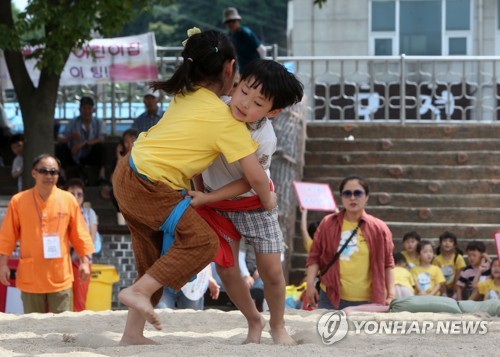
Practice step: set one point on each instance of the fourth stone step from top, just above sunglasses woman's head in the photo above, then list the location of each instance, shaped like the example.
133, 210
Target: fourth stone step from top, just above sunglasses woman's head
319, 173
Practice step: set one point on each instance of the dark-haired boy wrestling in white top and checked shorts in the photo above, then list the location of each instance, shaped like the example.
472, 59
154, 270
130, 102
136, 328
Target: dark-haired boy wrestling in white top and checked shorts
265, 88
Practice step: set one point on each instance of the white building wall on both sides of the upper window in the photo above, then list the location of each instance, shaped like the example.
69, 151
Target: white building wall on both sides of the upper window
341, 28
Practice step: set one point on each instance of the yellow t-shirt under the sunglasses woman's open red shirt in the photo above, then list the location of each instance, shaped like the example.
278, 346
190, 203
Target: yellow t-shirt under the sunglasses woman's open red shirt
355, 278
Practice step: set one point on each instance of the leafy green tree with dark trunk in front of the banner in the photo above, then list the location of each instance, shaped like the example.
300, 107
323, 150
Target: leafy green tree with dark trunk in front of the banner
54, 27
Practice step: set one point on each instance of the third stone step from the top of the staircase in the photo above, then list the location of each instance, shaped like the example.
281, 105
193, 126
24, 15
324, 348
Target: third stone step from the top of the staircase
417, 159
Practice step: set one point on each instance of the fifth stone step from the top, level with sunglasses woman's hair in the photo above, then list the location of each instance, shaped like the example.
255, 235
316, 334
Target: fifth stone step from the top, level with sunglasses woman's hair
425, 186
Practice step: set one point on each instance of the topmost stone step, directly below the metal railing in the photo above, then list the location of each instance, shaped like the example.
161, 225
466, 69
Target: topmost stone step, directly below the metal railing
396, 131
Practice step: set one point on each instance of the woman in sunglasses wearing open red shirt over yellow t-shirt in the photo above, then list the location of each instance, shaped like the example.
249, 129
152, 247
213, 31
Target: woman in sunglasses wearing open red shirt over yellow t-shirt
353, 251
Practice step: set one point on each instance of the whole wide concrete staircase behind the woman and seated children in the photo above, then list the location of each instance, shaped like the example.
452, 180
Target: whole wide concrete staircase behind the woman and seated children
428, 178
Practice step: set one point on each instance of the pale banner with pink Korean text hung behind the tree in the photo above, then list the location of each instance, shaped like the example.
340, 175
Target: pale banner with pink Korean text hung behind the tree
122, 59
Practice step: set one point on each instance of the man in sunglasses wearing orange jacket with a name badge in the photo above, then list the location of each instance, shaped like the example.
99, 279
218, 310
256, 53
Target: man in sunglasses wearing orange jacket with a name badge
44, 221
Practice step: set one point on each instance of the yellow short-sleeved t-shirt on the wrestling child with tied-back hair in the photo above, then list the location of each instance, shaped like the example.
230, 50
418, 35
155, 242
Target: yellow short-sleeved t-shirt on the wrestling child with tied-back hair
194, 130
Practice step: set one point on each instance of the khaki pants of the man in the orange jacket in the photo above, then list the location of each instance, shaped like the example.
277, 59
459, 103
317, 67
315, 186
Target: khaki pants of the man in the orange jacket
52, 302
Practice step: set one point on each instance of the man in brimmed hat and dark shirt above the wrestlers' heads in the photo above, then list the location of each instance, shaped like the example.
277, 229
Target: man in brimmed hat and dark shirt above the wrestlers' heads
247, 44
